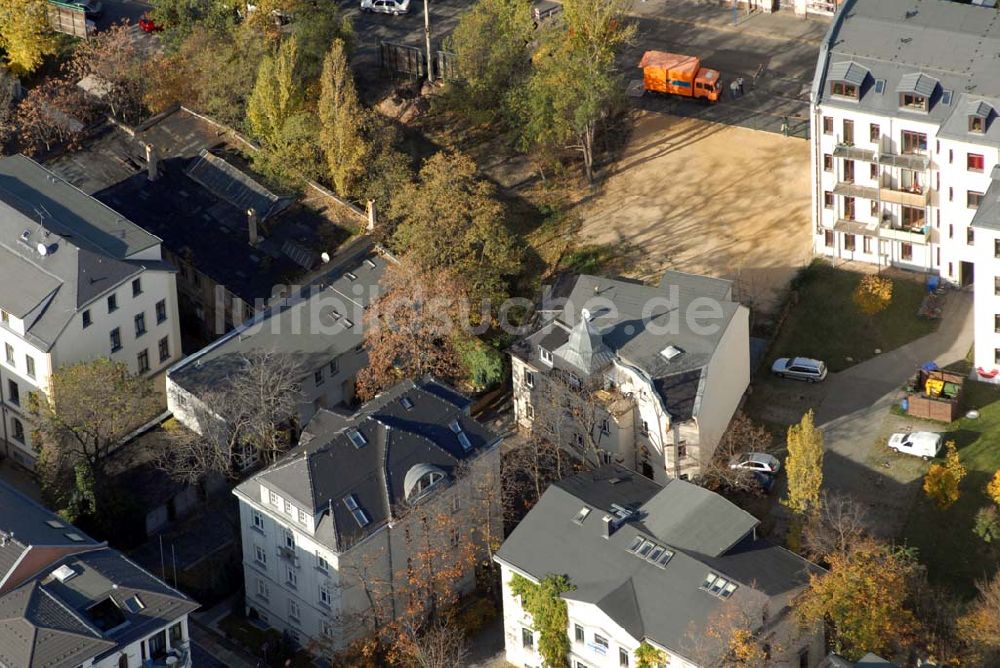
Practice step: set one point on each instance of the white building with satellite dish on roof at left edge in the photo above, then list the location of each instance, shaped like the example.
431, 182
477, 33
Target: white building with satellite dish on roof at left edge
77, 282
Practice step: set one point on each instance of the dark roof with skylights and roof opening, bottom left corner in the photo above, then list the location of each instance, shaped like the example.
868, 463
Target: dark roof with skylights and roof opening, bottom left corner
45, 623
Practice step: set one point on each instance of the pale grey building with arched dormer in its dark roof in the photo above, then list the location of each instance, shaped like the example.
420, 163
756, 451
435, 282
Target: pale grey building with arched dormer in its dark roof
334, 532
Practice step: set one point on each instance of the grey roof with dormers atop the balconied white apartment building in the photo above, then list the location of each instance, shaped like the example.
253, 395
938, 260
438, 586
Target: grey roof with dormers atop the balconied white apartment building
929, 47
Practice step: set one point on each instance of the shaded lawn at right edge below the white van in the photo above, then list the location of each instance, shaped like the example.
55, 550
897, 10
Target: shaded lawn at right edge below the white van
954, 555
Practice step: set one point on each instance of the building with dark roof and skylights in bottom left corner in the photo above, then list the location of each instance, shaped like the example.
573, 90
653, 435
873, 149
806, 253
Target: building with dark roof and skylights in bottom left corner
67, 601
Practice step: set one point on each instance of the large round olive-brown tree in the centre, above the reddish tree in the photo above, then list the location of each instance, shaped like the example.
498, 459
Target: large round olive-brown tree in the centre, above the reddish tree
451, 220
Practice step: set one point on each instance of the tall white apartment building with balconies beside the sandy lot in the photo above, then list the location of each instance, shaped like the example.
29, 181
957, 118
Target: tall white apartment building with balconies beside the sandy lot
905, 139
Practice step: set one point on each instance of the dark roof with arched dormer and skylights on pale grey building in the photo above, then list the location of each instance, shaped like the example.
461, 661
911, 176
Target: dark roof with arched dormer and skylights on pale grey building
328, 466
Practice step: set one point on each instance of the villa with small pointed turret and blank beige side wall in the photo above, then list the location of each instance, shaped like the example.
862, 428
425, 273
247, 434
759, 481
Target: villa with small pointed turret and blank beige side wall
670, 363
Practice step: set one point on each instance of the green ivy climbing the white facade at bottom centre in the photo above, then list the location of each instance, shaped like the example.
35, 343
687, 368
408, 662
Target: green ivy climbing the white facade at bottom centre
549, 614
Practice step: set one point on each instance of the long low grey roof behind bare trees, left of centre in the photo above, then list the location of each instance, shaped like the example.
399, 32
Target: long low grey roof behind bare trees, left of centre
312, 327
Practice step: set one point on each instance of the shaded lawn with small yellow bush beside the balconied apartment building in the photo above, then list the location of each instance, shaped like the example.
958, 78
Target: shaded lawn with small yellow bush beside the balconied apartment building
827, 325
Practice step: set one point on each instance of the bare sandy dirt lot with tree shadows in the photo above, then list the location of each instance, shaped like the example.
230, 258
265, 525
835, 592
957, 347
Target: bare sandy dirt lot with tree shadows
706, 198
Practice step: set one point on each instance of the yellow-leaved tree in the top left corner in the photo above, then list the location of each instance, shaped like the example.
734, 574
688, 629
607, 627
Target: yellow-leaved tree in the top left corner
25, 36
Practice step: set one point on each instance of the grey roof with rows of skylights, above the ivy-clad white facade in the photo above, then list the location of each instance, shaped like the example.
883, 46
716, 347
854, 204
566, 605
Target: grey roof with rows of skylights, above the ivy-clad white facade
650, 602
